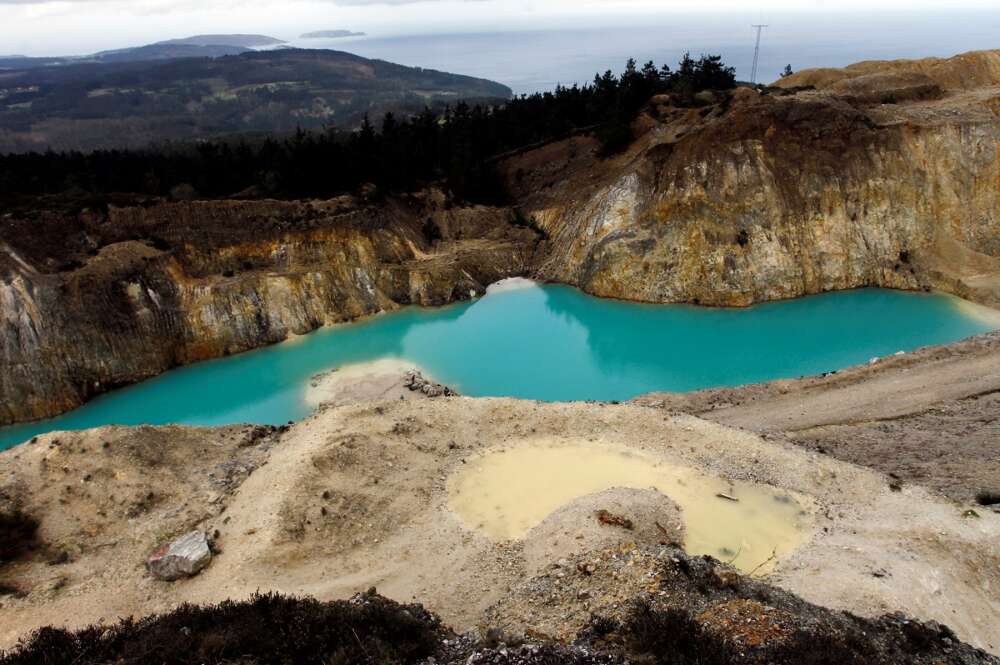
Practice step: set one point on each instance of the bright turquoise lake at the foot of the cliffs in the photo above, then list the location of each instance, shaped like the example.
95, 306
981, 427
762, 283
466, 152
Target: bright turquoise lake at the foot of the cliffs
547, 343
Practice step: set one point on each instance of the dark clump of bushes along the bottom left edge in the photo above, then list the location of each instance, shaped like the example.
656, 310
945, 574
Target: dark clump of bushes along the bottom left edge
267, 628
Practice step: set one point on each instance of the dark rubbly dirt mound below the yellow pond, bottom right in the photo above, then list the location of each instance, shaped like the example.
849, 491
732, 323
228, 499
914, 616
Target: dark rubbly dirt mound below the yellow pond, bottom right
659, 605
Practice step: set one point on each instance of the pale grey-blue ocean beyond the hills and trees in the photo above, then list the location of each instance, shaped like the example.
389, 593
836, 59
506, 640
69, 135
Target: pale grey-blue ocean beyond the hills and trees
538, 60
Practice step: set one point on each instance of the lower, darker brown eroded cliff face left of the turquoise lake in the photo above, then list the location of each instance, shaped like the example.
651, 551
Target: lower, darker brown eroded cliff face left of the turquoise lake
108, 300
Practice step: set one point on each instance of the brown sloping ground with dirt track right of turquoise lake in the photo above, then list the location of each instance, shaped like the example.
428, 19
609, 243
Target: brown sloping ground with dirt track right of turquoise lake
930, 417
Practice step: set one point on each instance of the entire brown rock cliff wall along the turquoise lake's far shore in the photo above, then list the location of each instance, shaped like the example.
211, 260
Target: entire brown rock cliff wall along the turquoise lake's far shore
884, 174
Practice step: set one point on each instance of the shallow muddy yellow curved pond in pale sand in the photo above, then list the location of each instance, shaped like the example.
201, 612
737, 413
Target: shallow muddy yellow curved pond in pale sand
504, 493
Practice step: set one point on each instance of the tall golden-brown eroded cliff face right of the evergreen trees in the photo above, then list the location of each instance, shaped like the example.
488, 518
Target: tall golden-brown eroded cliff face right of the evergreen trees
761, 197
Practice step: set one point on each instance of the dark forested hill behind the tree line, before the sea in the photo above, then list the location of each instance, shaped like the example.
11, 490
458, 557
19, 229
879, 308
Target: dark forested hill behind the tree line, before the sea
132, 104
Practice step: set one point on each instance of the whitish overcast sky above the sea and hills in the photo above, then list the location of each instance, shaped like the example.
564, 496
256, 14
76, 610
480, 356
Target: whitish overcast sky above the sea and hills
34, 27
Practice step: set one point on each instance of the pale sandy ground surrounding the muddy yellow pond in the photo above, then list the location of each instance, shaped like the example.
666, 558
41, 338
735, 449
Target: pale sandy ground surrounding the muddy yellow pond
357, 496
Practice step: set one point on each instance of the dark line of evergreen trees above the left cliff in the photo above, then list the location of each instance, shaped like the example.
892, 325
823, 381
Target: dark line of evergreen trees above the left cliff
456, 146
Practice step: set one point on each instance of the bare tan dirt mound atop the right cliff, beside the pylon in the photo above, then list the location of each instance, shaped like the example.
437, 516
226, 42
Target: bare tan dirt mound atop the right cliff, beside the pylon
962, 72
